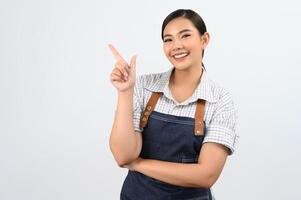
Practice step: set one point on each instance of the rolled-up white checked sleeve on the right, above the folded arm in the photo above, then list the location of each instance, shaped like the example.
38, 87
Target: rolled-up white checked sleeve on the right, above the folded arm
222, 127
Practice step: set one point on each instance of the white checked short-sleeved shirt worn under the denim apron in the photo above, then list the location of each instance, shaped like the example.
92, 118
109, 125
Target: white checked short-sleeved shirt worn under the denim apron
220, 114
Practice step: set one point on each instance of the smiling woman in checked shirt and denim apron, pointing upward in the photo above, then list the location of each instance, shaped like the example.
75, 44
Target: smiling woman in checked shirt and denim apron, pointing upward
172, 130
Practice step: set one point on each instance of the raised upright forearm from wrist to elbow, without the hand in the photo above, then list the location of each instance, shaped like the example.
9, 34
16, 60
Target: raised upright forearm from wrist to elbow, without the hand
123, 140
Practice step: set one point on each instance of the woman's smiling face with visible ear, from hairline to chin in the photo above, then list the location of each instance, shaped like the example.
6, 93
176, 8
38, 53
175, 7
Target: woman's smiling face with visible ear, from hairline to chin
183, 44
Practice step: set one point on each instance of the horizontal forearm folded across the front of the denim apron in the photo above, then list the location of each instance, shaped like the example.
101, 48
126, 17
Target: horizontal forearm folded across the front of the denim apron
186, 175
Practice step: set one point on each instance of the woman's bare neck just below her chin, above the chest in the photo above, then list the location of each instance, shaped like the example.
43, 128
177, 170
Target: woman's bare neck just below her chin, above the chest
186, 78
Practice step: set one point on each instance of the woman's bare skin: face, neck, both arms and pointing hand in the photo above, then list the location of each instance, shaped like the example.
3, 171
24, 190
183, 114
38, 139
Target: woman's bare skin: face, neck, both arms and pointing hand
180, 36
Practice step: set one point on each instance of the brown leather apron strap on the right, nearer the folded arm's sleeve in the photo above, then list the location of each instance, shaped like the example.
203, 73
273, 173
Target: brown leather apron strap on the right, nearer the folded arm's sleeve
199, 117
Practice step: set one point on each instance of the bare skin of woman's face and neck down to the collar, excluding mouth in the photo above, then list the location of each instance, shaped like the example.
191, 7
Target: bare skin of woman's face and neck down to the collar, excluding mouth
180, 35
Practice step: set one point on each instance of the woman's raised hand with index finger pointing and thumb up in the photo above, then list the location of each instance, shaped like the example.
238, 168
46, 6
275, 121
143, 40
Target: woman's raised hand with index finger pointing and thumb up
123, 76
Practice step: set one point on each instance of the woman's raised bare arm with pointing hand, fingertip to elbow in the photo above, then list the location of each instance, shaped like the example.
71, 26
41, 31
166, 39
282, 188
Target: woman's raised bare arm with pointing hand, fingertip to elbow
125, 144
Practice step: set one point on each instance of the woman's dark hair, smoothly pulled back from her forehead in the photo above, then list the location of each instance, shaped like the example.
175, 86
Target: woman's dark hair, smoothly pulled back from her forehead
194, 17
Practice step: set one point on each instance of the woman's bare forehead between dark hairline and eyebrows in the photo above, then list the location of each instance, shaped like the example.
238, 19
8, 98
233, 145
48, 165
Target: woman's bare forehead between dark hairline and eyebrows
178, 24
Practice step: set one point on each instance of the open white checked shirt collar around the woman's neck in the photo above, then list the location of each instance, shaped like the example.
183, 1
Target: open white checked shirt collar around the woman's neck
203, 91
